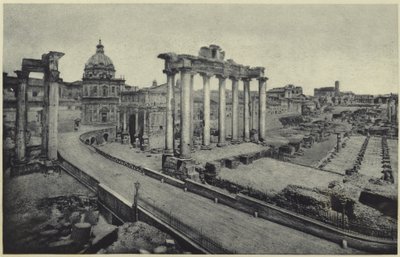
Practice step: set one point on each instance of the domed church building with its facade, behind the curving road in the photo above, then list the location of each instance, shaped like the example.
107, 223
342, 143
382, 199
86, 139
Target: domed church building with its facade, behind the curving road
101, 90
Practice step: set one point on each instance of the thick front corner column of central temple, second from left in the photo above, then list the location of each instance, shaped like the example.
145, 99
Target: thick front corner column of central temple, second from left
185, 151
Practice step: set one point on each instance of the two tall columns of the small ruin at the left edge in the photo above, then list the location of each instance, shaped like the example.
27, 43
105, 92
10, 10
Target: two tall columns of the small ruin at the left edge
49, 115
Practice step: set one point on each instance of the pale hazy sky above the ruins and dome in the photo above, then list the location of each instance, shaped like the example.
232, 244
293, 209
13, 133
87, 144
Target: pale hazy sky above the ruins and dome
306, 45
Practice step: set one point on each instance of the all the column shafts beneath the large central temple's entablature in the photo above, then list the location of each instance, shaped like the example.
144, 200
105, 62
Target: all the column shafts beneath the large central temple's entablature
186, 117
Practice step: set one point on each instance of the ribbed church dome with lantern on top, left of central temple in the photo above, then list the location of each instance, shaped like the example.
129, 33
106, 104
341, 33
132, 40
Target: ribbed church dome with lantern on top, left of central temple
99, 65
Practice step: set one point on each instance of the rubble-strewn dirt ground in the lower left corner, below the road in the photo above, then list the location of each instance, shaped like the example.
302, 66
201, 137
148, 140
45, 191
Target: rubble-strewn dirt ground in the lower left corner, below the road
38, 213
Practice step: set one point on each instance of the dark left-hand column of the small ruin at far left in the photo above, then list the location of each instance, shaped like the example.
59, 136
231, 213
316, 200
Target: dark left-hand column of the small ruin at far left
21, 119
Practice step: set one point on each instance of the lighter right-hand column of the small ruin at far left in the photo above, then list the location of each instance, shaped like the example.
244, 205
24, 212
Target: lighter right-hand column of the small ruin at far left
53, 115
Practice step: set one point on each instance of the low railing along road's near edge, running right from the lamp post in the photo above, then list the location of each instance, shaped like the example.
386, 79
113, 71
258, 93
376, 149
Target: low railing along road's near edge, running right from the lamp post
195, 235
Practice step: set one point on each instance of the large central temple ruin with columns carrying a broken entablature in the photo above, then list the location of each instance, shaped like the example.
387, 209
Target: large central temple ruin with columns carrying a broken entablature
209, 62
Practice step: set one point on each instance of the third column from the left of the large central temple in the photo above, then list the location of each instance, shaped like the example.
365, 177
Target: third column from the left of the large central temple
206, 109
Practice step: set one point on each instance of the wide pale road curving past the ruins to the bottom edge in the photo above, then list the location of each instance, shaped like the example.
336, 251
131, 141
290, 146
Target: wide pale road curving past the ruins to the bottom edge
233, 229
